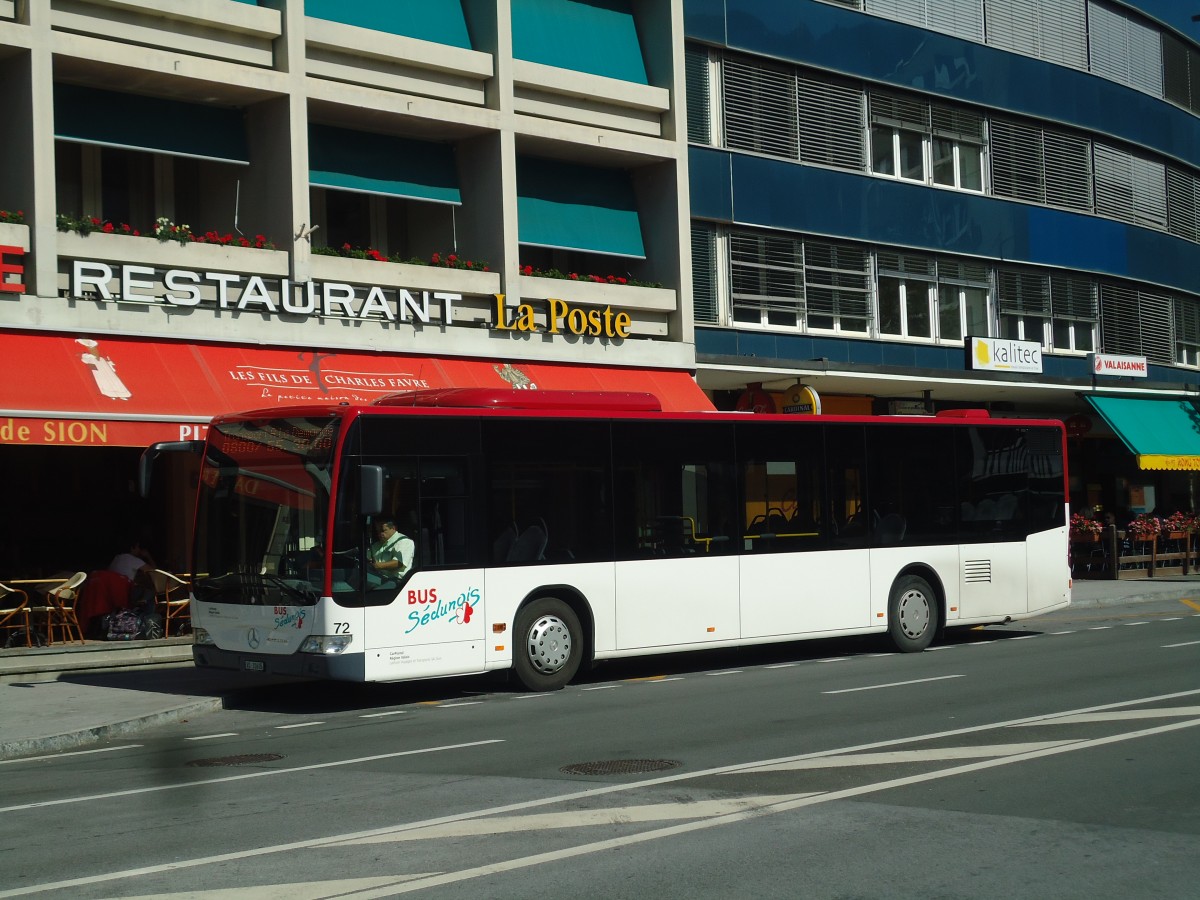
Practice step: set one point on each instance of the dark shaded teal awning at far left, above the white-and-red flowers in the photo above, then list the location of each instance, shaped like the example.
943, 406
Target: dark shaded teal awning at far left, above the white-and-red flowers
134, 122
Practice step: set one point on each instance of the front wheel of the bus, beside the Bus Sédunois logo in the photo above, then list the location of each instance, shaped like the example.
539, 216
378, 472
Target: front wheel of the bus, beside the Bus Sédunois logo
550, 645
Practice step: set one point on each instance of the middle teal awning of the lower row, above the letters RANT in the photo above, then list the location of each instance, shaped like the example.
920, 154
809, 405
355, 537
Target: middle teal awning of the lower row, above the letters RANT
379, 164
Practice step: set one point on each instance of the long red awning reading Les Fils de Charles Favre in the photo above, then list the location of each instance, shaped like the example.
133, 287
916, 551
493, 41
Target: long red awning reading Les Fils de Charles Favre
70, 391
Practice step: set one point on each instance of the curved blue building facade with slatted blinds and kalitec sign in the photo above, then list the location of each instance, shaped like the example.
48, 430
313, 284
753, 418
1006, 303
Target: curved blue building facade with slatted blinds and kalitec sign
909, 206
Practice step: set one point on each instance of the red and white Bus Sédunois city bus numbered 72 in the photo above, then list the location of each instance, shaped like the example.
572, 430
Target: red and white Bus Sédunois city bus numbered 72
548, 531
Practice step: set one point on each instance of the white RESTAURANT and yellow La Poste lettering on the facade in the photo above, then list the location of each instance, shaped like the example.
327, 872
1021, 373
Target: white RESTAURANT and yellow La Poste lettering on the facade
281, 297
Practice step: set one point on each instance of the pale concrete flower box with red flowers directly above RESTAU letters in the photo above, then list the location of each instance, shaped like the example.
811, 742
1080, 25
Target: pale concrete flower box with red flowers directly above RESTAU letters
172, 255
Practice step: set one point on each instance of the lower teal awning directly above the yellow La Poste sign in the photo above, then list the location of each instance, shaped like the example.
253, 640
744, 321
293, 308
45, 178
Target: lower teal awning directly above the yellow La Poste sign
571, 207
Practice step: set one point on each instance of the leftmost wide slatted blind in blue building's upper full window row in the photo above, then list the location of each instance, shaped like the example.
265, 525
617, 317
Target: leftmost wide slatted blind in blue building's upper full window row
760, 110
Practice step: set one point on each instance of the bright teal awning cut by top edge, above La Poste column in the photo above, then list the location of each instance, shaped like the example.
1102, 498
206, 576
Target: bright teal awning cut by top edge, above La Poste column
595, 37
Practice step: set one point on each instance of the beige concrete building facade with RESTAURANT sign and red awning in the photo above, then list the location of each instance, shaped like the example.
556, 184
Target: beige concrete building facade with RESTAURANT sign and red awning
229, 205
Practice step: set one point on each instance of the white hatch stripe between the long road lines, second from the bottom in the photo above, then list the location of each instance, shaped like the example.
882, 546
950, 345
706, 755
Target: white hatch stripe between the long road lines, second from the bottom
583, 819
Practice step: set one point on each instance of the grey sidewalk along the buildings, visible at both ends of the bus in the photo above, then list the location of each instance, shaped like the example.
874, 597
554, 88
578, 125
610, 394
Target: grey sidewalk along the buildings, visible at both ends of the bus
55, 700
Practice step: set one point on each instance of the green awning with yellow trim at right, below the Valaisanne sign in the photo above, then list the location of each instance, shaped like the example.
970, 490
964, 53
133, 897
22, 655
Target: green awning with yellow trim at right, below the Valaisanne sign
1162, 434
